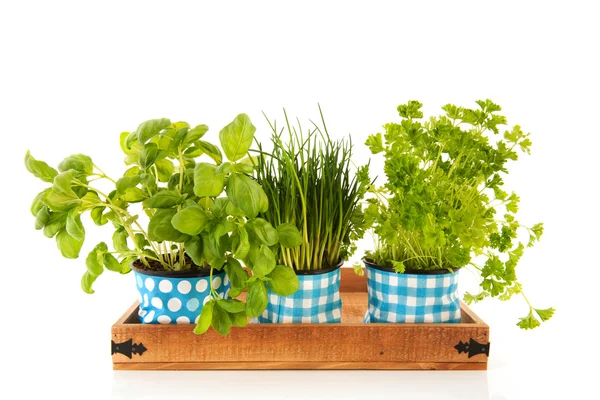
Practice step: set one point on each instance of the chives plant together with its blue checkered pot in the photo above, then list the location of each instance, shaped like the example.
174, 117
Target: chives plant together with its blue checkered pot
312, 187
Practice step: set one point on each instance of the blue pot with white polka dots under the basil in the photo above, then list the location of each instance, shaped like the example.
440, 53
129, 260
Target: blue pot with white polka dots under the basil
176, 297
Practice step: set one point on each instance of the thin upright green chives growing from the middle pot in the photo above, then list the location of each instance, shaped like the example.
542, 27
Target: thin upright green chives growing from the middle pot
311, 183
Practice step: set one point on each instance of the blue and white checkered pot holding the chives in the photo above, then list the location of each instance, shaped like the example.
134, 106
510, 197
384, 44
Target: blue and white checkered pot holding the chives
317, 301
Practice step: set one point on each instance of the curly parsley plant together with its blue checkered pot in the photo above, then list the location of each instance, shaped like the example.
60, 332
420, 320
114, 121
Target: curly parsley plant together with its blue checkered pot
444, 208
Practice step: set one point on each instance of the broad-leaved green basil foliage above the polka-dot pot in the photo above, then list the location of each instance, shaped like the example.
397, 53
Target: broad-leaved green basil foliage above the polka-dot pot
201, 214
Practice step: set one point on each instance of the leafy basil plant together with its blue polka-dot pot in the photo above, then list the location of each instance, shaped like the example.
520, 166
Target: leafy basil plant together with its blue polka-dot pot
179, 255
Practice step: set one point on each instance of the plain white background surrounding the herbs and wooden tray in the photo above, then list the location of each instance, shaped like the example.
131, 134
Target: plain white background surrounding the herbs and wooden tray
76, 74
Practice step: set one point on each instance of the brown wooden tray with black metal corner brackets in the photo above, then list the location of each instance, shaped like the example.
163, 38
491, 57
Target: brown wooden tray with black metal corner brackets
348, 345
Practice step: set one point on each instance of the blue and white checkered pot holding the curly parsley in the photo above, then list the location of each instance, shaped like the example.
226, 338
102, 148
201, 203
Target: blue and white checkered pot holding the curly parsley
412, 298
